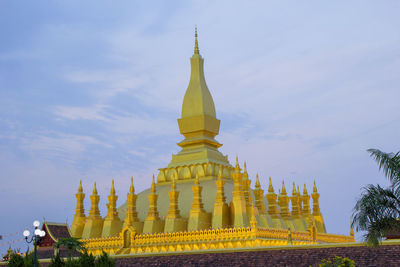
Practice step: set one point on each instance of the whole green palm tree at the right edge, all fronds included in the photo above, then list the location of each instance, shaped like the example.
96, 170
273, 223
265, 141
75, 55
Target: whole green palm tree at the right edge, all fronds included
377, 211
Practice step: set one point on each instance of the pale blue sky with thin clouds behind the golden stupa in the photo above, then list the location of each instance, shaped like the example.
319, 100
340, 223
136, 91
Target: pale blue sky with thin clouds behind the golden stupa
92, 90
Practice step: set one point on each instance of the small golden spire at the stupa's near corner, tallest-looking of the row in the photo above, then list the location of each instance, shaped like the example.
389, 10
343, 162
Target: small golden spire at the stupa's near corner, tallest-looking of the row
239, 216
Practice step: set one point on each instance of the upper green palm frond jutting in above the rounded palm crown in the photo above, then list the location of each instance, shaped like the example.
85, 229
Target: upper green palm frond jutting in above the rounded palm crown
389, 163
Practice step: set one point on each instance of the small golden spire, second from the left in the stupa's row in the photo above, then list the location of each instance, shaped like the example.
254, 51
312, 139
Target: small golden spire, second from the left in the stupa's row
94, 223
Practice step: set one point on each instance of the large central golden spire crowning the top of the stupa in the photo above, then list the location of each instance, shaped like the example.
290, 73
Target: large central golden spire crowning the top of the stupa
198, 123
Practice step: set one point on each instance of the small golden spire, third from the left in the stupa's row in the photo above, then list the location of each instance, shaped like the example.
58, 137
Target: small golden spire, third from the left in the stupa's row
112, 223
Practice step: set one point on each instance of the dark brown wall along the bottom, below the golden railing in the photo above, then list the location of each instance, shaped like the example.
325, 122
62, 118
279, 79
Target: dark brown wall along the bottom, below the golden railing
385, 255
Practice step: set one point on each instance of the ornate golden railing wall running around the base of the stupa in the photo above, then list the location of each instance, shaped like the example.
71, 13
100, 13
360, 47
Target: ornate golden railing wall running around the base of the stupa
208, 239
